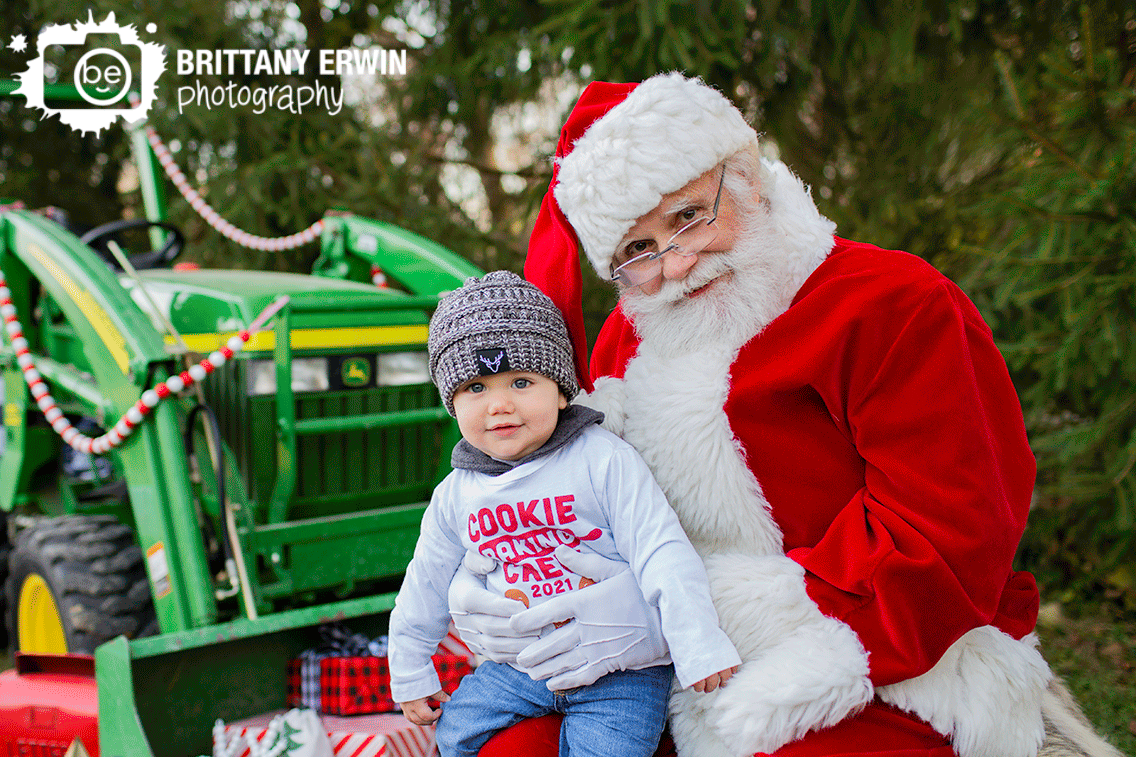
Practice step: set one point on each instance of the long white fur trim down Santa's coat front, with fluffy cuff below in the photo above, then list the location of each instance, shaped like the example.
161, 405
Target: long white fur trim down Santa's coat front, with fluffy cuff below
801, 671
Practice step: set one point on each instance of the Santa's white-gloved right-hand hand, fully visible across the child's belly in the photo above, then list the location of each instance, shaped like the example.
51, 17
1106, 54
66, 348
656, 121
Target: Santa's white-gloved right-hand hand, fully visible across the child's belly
613, 628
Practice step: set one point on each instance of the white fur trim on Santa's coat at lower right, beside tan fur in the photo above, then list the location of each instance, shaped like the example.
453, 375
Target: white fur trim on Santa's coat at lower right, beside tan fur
985, 693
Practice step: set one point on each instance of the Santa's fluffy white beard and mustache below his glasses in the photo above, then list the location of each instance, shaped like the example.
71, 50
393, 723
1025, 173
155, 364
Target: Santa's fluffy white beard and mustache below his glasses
749, 287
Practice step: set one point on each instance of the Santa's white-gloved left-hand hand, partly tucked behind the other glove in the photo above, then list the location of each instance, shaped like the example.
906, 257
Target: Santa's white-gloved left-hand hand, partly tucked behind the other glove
482, 618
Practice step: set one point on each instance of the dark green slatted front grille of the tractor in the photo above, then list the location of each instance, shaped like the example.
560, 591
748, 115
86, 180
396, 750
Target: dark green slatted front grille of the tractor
340, 472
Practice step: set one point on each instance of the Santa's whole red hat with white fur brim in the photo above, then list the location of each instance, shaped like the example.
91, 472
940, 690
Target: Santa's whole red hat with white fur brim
623, 148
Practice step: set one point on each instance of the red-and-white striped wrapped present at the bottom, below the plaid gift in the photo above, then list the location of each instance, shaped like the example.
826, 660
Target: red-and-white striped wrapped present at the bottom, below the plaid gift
367, 736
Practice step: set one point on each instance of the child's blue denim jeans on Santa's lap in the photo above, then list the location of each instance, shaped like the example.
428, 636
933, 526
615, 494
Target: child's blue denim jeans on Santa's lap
622, 714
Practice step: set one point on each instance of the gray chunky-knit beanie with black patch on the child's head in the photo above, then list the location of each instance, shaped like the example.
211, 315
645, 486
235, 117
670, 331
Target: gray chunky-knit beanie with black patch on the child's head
495, 325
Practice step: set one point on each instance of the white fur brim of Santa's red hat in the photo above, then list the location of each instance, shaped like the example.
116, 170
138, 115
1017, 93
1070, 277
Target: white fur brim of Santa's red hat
667, 132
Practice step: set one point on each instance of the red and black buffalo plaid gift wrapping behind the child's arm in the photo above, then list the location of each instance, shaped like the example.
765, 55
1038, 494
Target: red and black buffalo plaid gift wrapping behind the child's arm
361, 686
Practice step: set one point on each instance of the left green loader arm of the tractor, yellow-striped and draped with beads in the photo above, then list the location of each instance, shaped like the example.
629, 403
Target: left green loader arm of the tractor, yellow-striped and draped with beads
98, 338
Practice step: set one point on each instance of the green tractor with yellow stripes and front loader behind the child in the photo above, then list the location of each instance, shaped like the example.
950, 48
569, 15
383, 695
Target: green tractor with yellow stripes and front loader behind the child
281, 492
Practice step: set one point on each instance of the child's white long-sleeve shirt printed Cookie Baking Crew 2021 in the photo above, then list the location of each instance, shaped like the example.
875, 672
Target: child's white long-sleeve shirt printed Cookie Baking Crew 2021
595, 494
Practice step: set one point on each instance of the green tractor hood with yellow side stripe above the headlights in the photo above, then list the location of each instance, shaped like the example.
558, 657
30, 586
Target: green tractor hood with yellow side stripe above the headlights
207, 307
